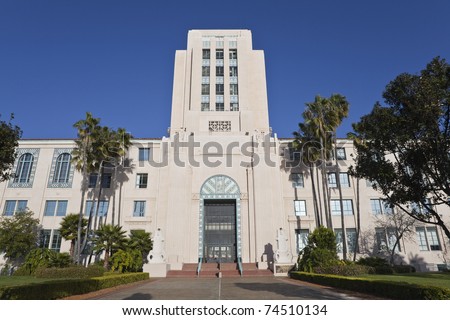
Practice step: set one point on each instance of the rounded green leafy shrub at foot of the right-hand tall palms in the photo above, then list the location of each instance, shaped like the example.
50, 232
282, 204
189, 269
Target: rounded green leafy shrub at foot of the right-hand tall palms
320, 251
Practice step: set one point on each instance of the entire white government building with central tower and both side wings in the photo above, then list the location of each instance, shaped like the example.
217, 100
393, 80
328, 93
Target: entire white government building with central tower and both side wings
221, 187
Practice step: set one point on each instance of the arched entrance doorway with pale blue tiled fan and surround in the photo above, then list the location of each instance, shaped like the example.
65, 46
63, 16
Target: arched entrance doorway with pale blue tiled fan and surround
220, 220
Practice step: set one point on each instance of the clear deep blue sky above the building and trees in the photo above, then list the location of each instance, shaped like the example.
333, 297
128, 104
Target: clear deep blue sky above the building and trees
60, 58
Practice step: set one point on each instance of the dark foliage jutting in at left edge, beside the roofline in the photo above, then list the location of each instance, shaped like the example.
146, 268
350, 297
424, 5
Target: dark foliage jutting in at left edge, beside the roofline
9, 141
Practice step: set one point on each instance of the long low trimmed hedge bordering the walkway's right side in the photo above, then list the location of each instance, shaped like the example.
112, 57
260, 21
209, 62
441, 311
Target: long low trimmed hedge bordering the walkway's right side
384, 289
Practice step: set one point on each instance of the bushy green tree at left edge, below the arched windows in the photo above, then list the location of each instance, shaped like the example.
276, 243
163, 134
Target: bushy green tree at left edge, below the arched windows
19, 235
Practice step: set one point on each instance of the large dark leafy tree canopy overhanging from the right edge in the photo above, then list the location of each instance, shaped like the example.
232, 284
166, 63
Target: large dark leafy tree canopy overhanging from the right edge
403, 149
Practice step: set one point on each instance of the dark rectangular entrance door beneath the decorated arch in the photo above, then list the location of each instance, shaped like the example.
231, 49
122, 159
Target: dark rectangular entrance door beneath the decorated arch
220, 231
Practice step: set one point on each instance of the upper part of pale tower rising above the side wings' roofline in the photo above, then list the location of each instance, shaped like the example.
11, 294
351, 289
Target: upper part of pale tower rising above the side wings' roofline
219, 84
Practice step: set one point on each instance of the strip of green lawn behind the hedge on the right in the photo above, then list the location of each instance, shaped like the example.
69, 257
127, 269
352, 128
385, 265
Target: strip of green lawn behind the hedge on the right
424, 278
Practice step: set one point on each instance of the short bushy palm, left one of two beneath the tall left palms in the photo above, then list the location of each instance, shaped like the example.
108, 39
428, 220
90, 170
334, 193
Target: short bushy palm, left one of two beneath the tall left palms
109, 238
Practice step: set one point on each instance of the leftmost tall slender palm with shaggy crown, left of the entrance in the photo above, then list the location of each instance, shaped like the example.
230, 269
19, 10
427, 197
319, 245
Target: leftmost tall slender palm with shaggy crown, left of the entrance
85, 162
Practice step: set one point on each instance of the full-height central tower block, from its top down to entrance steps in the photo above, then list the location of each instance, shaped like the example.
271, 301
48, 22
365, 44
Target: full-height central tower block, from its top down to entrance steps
219, 205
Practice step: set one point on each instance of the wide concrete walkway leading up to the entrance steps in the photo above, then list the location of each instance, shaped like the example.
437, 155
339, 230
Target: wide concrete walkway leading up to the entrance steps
256, 288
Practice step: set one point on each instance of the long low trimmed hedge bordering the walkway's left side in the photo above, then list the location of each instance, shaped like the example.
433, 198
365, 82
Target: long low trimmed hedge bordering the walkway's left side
63, 288
